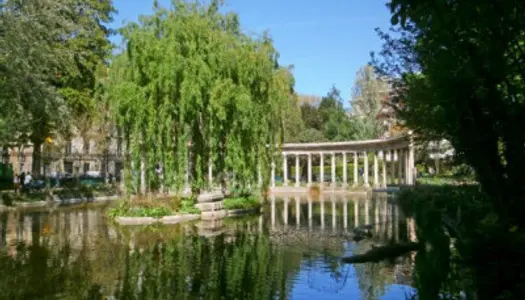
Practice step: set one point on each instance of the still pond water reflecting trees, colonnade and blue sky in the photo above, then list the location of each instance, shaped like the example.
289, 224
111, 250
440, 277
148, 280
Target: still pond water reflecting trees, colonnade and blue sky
291, 251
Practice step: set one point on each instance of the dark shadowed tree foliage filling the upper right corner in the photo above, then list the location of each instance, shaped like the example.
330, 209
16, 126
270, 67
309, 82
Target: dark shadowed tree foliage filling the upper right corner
458, 75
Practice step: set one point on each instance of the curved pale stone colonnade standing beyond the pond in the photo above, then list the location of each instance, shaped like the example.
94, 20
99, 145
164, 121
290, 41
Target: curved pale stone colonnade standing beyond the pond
397, 154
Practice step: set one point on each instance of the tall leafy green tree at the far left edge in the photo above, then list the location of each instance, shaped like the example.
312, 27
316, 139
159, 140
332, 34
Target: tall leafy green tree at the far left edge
36, 55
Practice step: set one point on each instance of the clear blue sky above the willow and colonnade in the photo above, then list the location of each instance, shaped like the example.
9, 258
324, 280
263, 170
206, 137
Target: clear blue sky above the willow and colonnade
326, 42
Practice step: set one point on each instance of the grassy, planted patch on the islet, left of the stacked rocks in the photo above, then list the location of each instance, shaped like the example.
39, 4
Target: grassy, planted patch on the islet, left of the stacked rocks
153, 207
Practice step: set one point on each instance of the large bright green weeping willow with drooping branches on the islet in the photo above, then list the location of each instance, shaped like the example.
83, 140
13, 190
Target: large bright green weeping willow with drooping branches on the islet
192, 89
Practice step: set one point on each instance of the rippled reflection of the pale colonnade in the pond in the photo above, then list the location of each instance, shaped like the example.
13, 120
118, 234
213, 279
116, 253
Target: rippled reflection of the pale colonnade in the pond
341, 214
